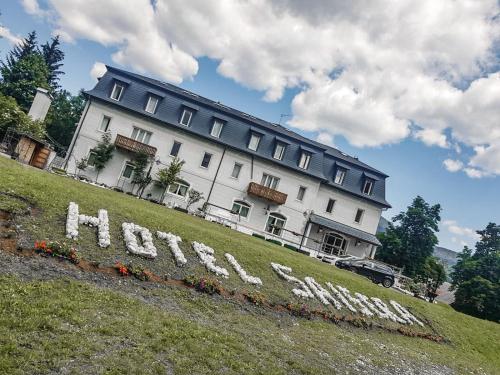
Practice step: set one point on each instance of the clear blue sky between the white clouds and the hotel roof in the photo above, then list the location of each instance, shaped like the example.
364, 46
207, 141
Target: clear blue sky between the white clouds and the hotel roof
415, 167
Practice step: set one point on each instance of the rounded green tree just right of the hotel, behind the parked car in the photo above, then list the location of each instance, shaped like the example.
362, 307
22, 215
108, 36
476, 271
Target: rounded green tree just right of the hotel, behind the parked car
410, 241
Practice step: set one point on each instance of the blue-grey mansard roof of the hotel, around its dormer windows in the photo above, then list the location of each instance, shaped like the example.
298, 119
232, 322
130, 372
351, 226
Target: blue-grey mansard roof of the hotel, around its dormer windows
237, 129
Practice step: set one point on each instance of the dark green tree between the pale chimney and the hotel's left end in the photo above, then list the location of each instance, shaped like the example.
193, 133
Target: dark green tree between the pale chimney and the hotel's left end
63, 114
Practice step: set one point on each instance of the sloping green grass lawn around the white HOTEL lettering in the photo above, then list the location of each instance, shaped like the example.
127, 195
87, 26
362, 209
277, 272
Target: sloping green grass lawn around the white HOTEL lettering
52, 325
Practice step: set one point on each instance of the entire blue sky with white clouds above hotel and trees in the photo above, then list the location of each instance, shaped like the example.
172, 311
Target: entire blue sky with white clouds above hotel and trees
412, 88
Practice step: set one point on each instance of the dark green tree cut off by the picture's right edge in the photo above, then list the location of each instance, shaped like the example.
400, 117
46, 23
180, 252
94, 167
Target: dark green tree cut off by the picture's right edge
476, 276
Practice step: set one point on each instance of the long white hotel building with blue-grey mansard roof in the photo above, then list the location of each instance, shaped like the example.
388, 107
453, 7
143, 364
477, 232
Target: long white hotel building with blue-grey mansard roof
256, 176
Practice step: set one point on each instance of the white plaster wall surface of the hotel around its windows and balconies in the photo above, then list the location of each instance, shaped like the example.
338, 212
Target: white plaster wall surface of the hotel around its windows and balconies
226, 189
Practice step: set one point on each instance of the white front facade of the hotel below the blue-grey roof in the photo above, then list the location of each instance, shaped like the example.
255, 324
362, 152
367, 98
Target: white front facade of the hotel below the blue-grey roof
216, 181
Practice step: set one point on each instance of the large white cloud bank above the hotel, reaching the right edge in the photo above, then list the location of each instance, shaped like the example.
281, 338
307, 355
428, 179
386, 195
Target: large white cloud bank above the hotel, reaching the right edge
371, 73
